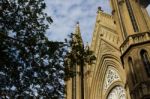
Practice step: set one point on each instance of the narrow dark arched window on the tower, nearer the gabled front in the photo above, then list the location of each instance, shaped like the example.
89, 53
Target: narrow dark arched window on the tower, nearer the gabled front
131, 67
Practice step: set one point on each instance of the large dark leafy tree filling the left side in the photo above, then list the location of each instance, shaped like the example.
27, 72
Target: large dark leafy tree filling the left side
30, 64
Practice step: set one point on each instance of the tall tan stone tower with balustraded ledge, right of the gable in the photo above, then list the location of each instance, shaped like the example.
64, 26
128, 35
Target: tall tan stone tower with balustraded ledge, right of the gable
133, 27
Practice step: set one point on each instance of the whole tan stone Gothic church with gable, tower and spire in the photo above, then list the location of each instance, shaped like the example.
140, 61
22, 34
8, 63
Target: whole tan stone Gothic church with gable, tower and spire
121, 44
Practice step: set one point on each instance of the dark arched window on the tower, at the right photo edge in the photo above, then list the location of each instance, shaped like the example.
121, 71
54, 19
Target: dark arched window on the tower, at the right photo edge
146, 61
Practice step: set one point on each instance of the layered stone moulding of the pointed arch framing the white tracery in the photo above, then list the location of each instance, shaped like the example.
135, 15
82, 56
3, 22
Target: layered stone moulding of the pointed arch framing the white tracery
99, 75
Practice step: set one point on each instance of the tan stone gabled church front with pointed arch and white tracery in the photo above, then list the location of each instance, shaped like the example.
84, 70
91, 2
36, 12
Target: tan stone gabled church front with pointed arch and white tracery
107, 79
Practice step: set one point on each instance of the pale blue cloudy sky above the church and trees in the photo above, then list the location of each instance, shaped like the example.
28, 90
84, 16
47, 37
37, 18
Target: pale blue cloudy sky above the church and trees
65, 14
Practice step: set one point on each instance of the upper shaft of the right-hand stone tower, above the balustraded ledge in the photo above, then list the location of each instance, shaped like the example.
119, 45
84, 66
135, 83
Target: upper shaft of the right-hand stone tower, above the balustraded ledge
131, 16
